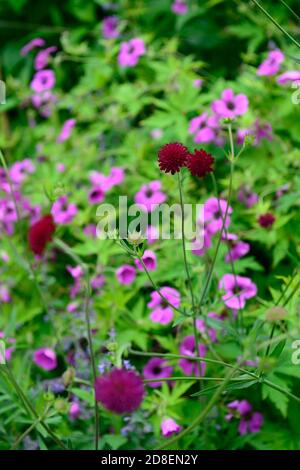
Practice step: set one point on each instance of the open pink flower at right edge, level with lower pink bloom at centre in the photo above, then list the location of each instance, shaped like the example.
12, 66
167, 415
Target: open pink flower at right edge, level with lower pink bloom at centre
238, 289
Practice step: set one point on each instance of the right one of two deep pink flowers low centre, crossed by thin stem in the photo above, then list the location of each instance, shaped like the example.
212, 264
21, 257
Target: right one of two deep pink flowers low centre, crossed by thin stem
188, 348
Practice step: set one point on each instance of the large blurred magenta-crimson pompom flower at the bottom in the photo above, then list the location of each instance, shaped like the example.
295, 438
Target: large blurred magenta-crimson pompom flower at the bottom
120, 390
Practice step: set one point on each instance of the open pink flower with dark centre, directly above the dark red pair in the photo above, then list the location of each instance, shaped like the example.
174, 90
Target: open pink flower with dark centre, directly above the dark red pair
230, 105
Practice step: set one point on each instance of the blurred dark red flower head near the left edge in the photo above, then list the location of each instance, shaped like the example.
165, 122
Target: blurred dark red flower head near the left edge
40, 233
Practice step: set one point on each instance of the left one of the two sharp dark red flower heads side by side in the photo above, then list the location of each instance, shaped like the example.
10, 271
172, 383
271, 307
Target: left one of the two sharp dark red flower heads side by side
172, 157
